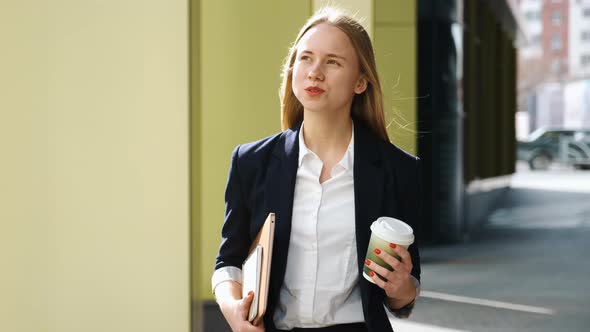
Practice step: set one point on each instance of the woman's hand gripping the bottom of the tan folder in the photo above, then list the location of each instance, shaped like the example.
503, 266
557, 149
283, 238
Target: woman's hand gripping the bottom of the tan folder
236, 314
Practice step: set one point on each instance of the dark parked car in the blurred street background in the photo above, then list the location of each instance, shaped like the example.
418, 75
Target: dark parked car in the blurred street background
546, 146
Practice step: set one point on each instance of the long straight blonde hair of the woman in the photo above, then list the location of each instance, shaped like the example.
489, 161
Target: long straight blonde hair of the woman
367, 107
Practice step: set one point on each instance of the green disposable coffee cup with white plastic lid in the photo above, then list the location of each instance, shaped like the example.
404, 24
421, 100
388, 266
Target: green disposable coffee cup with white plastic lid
386, 230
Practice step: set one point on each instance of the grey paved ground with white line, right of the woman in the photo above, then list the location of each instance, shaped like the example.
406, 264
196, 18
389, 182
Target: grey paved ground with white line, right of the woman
526, 270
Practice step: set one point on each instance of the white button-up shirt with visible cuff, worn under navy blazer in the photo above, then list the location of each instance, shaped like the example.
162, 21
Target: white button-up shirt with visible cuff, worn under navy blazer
321, 278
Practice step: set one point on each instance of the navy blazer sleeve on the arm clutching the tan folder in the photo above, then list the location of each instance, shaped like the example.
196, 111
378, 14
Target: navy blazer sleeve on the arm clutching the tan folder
235, 239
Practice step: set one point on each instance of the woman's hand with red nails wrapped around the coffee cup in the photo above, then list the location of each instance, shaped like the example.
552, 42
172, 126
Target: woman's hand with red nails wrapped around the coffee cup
398, 284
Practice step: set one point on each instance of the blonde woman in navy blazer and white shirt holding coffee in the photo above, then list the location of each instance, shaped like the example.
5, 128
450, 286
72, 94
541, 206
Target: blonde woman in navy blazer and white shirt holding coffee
327, 177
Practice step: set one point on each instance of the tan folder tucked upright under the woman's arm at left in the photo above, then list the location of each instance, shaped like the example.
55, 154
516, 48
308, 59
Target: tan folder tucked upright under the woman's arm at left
264, 238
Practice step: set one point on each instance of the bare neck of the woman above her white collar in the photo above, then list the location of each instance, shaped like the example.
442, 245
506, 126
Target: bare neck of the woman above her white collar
325, 134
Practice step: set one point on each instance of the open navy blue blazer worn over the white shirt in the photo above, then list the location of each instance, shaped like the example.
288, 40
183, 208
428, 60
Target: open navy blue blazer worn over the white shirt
262, 180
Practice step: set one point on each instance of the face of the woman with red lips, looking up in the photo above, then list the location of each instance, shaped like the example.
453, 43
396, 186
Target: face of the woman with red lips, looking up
326, 73
